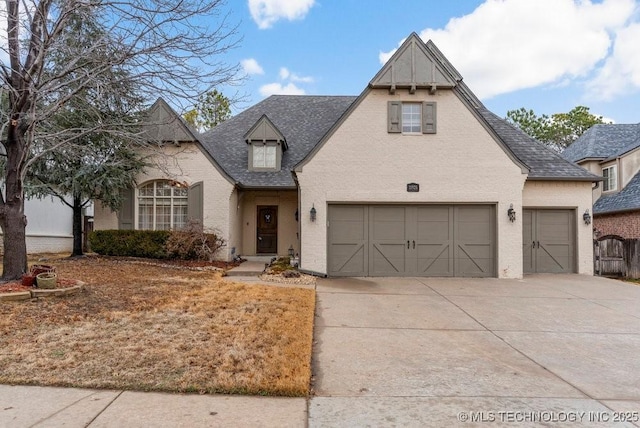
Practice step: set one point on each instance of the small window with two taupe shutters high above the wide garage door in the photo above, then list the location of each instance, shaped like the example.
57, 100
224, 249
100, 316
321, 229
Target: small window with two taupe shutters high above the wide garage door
411, 117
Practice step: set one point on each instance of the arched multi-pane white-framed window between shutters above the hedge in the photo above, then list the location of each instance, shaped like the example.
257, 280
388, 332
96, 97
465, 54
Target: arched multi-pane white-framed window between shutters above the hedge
162, 206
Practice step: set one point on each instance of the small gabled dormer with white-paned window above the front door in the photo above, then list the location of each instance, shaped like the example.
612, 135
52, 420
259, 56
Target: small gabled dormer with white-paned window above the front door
266, 146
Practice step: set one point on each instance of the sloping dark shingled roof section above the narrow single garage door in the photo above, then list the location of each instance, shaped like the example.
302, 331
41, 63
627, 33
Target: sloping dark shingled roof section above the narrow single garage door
543, 162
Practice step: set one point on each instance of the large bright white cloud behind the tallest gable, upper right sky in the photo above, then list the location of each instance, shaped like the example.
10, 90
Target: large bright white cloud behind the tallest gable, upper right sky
507, 45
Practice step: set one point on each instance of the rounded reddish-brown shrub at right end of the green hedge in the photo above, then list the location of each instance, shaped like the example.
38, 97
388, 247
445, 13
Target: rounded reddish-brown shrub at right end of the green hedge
194, 242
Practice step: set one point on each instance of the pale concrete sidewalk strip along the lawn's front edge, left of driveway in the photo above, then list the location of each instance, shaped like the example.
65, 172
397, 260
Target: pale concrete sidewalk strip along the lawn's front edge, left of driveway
33, 406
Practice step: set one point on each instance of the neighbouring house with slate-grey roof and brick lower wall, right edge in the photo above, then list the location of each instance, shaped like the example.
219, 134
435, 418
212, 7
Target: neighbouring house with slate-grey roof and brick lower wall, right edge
613, 151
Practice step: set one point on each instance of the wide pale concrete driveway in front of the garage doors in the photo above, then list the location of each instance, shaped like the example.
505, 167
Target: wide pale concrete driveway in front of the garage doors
544, 350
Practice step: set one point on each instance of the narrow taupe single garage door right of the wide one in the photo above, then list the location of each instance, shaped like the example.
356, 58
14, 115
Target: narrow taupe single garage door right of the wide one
548, 242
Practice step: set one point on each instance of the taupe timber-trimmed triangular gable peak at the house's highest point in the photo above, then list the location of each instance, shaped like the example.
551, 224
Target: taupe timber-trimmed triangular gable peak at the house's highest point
413, 66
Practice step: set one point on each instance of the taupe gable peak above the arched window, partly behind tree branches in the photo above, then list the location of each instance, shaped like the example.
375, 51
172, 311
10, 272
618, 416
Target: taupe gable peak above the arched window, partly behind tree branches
163, 124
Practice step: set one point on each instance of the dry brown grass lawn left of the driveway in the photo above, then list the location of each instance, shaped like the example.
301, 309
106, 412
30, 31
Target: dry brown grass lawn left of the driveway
144, 327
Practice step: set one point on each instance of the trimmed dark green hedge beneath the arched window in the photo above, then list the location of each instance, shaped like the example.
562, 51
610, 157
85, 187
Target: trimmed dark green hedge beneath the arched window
130, 243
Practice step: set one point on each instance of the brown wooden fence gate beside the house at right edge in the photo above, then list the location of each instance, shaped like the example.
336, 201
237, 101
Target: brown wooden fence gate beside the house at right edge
615, 256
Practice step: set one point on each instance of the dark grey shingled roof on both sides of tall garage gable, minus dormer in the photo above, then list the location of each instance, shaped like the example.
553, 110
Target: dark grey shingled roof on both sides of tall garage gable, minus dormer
304, 120
